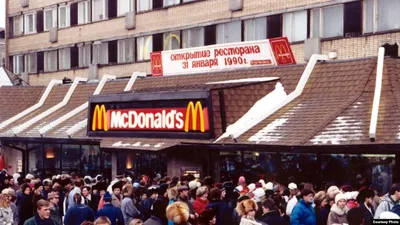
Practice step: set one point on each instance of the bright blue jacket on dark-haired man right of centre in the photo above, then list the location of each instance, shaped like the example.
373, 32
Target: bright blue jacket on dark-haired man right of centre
303, 214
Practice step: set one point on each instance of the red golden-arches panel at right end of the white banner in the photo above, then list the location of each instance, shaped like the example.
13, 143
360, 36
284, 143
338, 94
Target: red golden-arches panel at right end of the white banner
282, 51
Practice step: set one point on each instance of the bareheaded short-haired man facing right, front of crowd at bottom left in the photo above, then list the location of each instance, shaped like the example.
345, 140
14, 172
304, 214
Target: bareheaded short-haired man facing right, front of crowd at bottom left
42, 215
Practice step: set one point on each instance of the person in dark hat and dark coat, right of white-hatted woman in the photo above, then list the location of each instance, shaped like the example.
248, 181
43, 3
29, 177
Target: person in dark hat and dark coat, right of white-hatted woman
365, 198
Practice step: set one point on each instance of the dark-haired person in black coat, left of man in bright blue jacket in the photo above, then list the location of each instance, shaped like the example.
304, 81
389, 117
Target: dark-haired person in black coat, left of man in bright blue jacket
271, 215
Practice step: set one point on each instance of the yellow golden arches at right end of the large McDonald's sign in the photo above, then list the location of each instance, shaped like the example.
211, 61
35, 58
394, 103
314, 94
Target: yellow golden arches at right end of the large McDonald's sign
192, 111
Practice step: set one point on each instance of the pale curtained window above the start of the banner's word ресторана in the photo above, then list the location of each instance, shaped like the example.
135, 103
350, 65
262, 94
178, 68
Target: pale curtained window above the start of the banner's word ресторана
229, 32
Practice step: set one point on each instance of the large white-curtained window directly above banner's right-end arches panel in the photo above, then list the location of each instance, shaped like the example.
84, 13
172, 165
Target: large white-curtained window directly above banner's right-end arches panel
295, 26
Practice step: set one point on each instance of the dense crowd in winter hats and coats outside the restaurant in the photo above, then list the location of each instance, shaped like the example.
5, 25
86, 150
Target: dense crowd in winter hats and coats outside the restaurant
71, 200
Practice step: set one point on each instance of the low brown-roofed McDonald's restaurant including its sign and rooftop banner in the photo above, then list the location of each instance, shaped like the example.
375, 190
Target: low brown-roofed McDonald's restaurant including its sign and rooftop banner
199, 114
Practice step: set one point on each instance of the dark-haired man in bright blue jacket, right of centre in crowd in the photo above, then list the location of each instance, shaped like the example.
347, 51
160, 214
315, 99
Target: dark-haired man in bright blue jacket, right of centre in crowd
303, 213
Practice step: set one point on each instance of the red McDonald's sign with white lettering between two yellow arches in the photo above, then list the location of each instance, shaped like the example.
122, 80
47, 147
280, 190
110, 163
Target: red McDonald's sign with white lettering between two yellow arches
192, 118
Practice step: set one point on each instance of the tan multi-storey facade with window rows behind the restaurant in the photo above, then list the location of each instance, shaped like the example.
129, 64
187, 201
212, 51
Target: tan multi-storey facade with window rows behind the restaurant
56, 39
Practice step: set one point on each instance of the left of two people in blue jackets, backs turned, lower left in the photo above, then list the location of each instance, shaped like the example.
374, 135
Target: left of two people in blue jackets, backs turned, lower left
79, 212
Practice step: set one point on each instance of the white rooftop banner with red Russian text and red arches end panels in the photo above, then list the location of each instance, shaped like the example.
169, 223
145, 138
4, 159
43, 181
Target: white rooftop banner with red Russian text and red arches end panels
268, 52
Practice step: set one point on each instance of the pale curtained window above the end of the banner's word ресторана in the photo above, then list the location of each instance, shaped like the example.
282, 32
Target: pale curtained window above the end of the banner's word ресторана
255, 29
